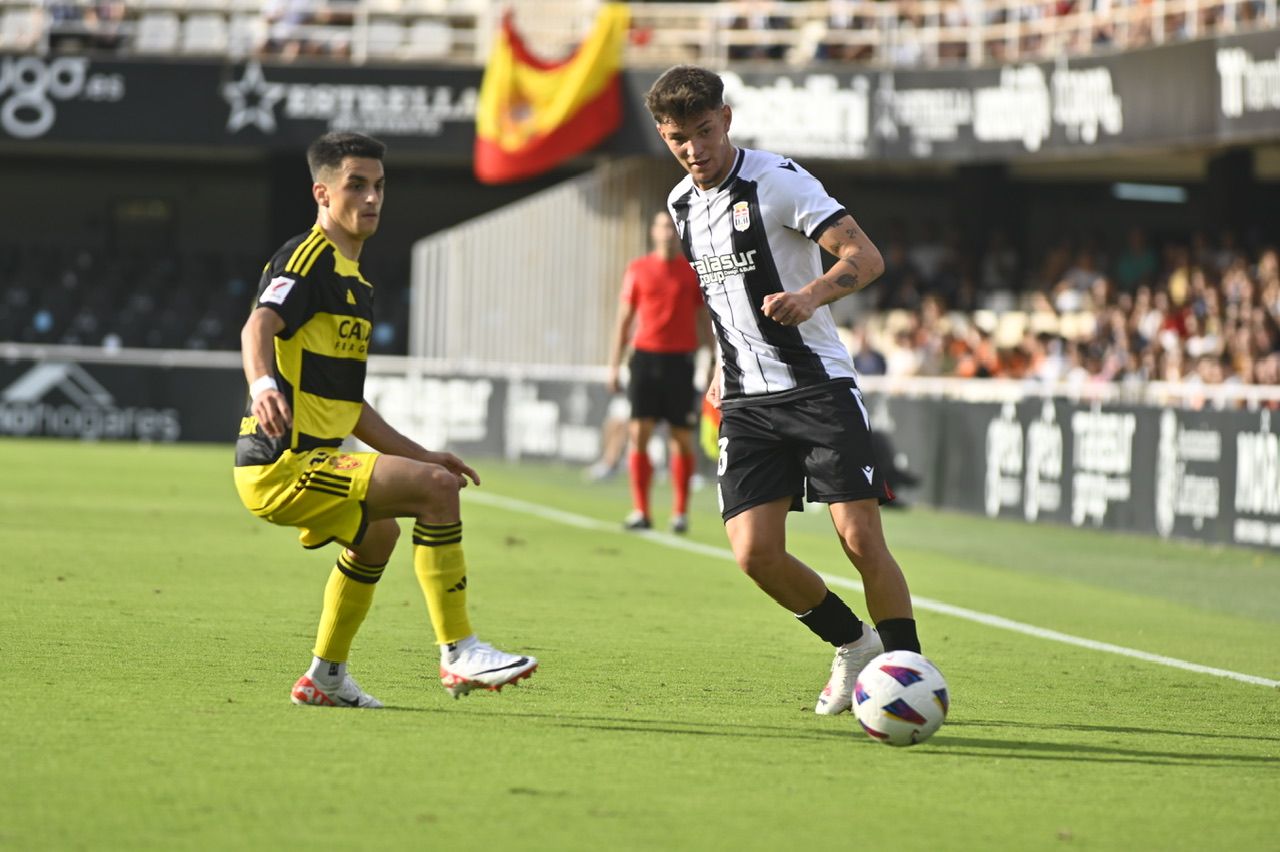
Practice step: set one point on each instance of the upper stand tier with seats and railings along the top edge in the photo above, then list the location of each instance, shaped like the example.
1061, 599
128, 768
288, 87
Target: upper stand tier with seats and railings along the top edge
900, 34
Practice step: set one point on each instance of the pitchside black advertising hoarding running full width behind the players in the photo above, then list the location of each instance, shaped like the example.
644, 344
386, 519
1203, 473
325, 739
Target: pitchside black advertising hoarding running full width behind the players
1205, 475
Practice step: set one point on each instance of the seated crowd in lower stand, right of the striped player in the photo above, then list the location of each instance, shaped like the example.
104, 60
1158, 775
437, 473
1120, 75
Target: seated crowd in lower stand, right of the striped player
1178, 310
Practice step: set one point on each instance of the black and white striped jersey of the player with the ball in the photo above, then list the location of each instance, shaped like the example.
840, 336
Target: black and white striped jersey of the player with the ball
756, 235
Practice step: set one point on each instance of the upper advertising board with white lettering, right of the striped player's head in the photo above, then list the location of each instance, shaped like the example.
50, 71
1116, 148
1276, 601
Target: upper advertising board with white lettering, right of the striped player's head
1201, 93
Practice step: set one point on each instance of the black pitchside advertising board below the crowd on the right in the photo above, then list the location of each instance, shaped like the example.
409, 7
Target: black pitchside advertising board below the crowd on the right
1209, 475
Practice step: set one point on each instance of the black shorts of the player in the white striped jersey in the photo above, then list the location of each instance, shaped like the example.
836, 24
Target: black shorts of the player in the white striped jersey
776, 451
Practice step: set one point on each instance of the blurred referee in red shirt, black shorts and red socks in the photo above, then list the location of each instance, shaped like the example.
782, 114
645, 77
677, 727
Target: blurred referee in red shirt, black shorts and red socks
661, 299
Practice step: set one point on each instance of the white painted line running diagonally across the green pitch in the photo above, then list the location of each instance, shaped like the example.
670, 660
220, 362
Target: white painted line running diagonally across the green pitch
920, 603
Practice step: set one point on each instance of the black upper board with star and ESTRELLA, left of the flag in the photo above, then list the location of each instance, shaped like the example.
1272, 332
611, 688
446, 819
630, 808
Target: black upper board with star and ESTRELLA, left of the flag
93, 102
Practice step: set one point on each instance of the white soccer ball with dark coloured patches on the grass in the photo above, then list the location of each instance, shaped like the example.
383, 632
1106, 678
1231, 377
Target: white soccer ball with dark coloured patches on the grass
900, 699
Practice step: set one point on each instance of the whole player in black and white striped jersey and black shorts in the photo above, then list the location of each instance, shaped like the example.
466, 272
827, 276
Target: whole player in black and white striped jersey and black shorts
752, 225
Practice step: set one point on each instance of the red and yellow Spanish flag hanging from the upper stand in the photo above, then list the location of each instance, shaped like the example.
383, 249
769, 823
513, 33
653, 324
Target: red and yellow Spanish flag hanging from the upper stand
534, 114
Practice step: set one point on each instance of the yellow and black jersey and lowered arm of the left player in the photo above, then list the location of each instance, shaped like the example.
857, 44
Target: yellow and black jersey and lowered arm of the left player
322, 352
